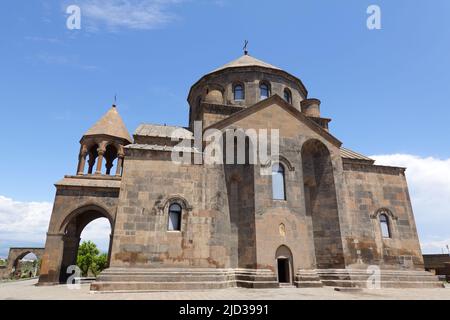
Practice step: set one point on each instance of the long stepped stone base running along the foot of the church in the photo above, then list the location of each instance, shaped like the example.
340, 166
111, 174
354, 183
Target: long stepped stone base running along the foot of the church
134, 279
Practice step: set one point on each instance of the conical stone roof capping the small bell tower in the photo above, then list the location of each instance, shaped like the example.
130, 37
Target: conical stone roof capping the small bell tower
110, 124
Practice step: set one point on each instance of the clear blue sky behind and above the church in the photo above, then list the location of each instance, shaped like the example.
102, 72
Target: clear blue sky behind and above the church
386, 90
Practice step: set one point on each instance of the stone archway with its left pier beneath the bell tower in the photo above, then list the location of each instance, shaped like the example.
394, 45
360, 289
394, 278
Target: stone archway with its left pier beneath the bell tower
62, 247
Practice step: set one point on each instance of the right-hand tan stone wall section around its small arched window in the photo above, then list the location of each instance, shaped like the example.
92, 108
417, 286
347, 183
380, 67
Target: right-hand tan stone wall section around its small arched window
370, 188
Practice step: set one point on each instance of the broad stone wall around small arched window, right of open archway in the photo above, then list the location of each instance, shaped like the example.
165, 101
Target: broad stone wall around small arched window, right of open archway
149, 184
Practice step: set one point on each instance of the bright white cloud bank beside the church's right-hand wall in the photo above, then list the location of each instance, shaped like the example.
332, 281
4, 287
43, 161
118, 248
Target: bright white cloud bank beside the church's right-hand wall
429, 186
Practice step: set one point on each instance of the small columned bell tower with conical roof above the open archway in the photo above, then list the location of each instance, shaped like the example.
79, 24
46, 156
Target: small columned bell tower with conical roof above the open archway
102, 146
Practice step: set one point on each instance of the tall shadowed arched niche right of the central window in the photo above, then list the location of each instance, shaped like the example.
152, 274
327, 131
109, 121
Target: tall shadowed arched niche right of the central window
321, 205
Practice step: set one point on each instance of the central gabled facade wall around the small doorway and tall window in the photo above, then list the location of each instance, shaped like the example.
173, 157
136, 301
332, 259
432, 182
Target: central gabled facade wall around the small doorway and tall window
278, 222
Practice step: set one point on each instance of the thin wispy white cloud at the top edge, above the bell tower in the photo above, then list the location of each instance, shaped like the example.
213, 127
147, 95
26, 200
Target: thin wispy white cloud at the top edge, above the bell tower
130, 14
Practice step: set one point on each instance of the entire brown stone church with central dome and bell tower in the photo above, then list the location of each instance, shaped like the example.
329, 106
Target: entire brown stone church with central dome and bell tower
326, 216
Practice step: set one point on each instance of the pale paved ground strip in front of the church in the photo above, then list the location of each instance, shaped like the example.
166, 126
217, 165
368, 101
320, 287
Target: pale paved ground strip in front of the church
25, 290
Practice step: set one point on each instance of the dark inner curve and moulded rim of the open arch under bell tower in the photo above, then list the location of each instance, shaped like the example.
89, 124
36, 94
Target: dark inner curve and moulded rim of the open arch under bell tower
72, 229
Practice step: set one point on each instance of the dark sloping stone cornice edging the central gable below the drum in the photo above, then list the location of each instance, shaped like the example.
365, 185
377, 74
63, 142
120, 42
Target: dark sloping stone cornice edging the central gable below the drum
275, 99
